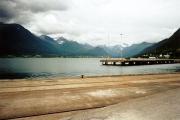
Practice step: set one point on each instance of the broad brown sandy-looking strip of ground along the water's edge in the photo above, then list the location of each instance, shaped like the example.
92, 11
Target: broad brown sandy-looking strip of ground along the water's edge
22, 98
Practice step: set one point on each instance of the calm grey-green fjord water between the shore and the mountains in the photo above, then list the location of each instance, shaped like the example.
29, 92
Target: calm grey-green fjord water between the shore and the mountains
72, 67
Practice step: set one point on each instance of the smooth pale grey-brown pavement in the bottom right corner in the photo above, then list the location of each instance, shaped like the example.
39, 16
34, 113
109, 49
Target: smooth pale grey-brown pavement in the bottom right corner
161, 106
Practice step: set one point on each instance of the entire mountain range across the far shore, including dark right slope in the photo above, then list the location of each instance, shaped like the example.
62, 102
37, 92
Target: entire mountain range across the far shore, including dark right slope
15, 40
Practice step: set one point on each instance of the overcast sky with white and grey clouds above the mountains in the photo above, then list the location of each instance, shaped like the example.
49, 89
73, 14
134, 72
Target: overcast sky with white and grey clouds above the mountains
96, 22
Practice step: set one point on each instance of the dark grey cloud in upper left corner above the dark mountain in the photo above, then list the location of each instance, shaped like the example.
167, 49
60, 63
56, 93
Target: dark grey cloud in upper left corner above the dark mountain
20, 10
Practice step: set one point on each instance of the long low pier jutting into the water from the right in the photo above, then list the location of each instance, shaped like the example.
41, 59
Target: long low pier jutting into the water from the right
137, 61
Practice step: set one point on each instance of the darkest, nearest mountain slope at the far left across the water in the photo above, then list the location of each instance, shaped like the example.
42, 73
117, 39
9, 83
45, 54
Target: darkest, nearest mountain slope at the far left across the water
16, 40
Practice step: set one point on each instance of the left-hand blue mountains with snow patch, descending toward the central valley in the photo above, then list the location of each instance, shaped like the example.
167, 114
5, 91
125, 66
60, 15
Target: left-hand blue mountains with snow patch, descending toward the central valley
17, 41
